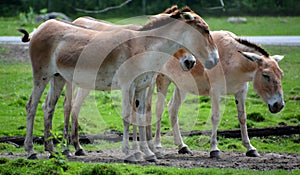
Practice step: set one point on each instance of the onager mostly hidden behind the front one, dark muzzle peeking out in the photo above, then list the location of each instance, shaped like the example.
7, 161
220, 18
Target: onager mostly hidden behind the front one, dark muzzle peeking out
185, 61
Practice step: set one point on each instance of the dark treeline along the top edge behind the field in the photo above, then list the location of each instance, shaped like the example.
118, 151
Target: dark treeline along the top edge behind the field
141, 7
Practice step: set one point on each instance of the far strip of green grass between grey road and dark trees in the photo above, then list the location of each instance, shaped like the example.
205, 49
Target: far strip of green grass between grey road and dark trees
254, 25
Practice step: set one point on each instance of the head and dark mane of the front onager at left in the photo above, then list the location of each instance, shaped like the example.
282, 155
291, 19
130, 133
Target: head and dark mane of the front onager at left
206, 50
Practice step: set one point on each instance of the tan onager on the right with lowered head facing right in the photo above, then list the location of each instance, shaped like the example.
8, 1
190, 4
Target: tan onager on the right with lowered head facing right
230, 76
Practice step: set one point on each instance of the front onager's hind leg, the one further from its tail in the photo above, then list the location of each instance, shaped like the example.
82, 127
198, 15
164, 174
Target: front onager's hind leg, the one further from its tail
56, 85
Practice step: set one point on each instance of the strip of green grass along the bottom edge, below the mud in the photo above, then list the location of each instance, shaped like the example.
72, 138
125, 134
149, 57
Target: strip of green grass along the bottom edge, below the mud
60, 166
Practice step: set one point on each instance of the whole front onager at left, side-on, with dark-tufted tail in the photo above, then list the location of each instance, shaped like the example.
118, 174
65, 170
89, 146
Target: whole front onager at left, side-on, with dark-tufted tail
121, 59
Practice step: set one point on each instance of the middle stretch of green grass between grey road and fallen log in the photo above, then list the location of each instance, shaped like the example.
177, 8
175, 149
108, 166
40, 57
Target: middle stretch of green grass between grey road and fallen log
102, 110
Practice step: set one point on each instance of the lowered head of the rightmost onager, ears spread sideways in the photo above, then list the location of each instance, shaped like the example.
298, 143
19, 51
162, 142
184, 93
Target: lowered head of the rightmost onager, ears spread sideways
267, 80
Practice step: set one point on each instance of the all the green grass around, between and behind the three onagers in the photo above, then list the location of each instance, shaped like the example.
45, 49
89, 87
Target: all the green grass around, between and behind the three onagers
102, 110
